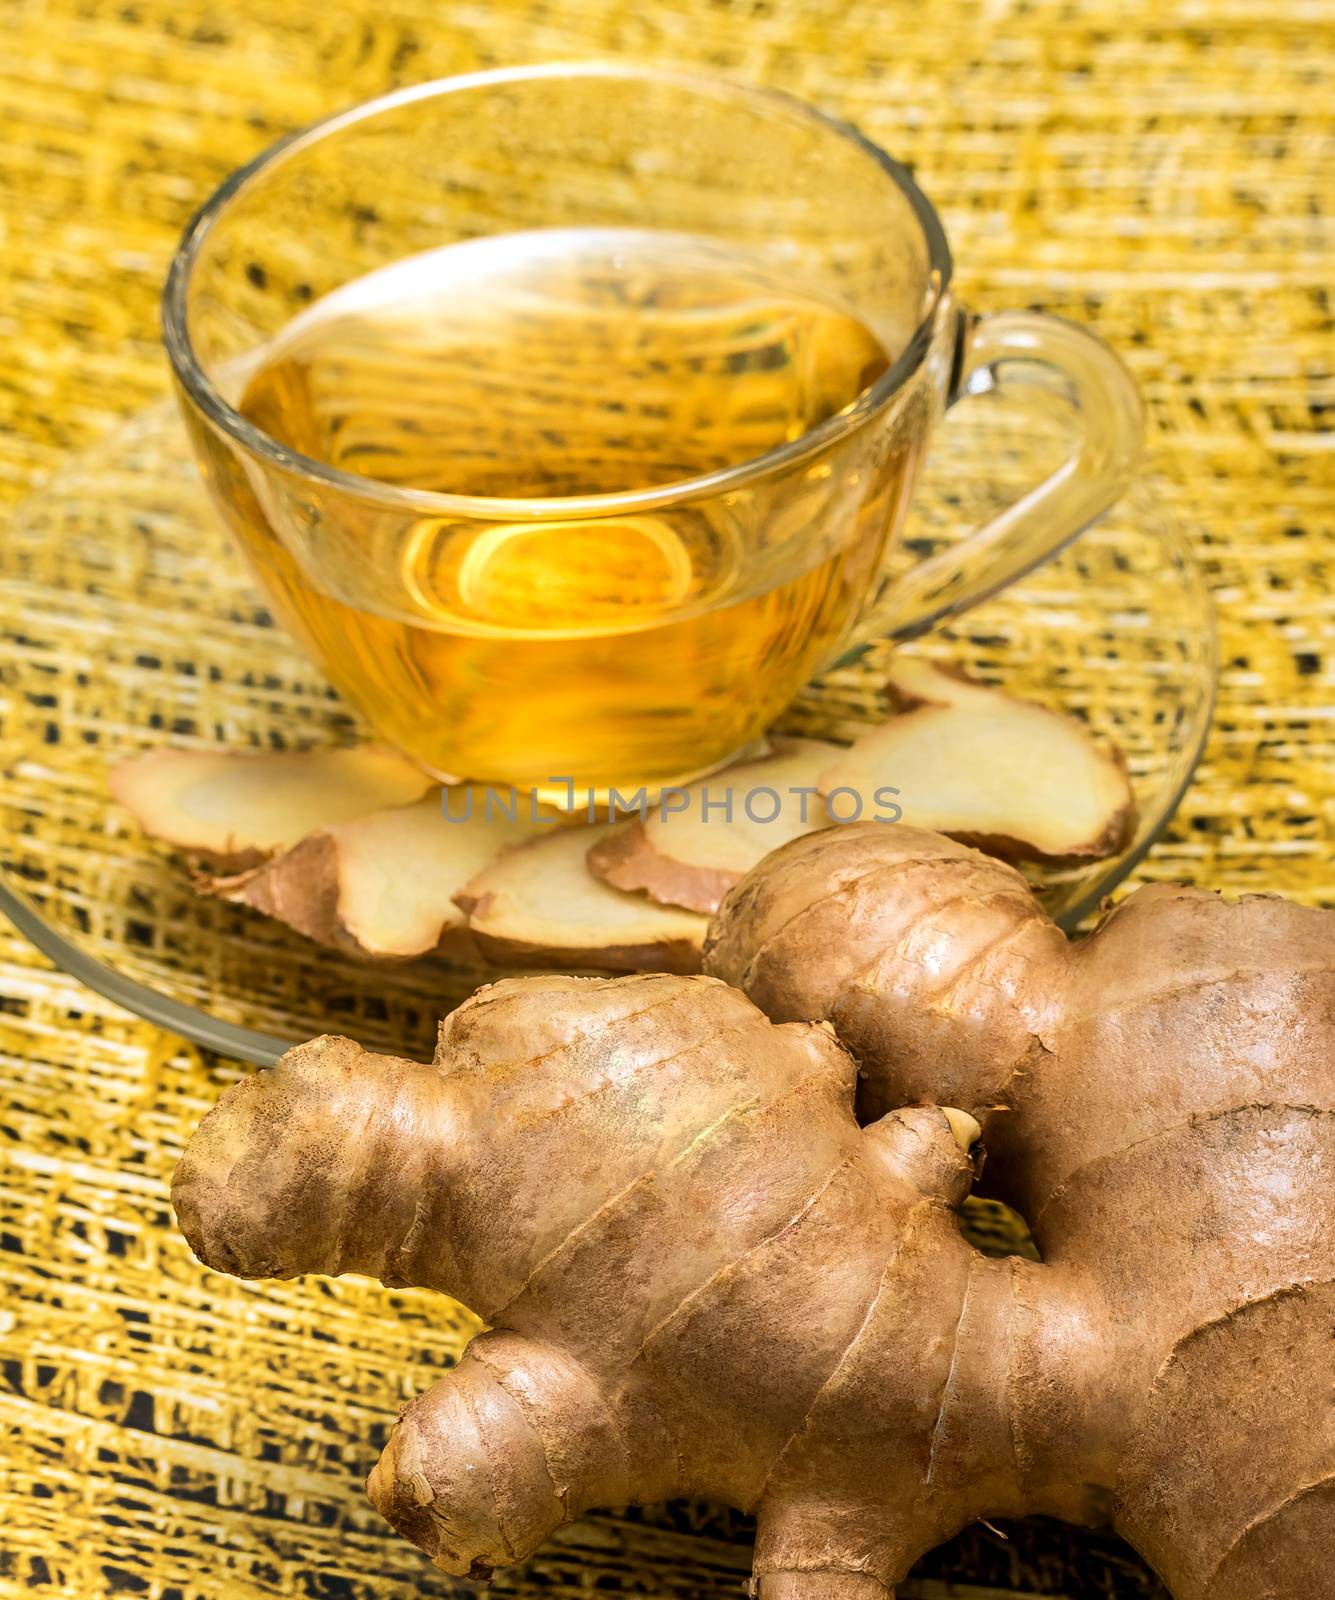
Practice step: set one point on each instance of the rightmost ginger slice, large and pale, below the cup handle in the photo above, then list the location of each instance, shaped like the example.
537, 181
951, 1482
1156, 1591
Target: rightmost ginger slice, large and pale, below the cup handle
1006, 775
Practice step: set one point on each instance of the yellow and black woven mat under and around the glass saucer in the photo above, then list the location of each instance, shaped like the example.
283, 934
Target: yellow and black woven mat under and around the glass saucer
1155, 167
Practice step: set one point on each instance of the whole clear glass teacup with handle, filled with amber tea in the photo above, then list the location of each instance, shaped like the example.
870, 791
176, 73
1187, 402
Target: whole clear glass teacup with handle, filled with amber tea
566, 414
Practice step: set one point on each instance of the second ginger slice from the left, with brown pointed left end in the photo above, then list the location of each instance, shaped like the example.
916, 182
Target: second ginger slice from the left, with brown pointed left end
383, 886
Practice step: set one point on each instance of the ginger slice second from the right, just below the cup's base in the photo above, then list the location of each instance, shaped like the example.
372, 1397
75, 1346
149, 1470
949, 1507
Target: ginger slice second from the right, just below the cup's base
692, 855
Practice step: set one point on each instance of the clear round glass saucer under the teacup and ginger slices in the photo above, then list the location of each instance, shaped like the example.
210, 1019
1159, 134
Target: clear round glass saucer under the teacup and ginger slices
127, 622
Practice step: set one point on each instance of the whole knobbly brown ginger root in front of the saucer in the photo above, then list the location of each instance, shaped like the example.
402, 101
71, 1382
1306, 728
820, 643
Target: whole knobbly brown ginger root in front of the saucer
705, 1278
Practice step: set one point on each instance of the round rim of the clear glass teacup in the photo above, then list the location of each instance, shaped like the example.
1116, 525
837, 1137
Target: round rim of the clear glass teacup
257, 442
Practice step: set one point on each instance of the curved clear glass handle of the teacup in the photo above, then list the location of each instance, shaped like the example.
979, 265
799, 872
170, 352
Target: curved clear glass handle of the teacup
995, 351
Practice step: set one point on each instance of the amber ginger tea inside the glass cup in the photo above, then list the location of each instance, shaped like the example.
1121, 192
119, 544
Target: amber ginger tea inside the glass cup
523, 644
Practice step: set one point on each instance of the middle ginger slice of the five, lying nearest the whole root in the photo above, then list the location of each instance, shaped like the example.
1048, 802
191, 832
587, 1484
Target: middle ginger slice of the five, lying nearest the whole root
540, 902
